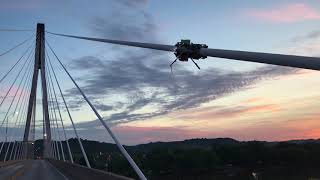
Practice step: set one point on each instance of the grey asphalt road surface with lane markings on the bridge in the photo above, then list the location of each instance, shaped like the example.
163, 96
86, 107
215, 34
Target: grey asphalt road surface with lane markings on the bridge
31, 170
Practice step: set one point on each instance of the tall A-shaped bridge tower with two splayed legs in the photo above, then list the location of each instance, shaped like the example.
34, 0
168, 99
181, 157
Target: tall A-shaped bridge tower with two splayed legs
38, 65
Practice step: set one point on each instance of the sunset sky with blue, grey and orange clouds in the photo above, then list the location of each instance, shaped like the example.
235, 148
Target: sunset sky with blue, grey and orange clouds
133, 88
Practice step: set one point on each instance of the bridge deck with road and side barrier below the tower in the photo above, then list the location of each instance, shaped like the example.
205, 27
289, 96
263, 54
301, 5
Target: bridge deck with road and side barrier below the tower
52, 170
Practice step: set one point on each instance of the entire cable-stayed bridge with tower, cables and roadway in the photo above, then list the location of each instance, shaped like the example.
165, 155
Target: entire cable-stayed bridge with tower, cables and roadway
36, 70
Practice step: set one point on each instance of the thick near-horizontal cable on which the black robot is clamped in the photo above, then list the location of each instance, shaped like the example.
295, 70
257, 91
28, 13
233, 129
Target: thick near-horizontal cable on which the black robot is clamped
199, 50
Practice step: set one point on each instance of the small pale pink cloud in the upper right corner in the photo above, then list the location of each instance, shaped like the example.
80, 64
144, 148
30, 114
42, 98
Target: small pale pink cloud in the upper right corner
286, 14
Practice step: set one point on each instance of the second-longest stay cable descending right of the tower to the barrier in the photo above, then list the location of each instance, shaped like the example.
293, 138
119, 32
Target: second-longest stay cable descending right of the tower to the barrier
70, 117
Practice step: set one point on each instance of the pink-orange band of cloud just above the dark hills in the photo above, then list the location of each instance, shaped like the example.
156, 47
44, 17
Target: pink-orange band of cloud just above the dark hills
304, 128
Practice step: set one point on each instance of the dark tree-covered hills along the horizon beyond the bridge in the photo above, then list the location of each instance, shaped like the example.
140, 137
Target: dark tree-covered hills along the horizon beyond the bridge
219, 158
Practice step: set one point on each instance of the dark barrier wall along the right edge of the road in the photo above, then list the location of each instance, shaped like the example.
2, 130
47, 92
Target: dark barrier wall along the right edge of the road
78, 172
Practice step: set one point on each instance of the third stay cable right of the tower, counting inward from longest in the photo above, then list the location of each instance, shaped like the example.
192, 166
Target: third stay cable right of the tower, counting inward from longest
58, 106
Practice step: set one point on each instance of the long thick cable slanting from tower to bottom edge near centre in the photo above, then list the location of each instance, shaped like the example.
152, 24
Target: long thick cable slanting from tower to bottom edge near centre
121, 148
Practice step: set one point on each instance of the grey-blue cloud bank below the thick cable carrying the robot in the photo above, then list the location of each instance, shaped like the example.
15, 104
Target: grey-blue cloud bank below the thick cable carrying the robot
143, 85
